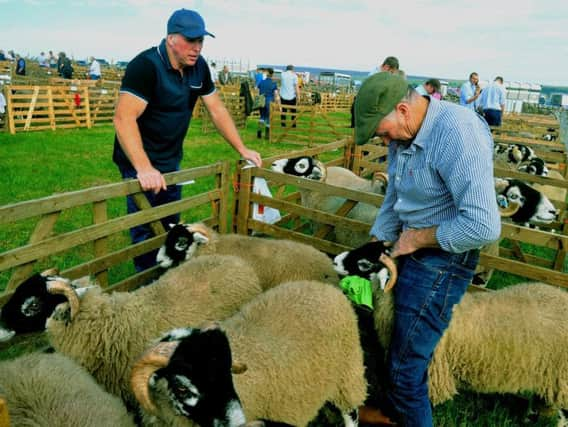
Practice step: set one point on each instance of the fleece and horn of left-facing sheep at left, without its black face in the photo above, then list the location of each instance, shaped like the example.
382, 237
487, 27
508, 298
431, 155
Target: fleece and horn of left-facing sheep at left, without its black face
106, 332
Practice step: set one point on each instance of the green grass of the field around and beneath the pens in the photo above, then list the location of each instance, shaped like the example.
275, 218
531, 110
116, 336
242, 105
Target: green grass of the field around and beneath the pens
39, 164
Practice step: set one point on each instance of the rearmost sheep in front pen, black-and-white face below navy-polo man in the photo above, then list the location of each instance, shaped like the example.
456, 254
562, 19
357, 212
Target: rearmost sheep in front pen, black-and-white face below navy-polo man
274, 260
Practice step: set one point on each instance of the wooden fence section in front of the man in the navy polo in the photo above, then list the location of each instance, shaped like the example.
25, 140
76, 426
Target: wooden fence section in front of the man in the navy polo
97, 247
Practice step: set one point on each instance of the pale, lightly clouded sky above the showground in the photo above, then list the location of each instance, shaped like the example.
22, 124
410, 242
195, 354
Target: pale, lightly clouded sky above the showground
521, 40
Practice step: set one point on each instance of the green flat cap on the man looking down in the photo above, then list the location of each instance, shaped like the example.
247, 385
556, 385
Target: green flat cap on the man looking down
376, 98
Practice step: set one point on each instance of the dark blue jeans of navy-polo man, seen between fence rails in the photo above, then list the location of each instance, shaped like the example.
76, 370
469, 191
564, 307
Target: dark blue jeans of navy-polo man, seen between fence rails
143, 232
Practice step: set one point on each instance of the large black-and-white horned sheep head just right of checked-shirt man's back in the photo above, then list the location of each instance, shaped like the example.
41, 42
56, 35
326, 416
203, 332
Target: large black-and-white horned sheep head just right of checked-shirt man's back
533, 206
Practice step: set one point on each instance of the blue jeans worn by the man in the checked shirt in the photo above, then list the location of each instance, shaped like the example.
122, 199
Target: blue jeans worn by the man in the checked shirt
430, 283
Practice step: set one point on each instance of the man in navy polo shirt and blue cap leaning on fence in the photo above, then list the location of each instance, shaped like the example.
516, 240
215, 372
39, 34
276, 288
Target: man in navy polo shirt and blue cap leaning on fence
159, 90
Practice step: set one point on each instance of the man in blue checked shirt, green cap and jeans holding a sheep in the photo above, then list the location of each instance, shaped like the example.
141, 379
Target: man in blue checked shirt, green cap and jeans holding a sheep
439, 209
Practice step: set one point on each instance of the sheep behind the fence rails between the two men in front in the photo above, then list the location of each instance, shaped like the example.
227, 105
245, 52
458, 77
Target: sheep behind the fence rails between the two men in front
307, 167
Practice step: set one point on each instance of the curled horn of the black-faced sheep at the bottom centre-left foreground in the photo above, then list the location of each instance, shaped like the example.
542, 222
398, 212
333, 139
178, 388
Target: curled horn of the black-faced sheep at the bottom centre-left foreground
155, 358
